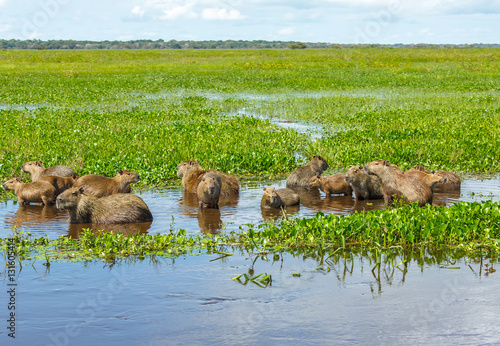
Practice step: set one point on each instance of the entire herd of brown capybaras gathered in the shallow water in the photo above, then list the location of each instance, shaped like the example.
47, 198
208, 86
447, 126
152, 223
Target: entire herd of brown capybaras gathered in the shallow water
97, 199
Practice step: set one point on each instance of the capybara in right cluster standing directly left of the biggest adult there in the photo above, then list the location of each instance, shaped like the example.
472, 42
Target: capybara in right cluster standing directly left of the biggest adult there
365, 186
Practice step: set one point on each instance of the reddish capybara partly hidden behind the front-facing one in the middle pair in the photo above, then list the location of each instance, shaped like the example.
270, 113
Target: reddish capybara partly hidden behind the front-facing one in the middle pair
192, 173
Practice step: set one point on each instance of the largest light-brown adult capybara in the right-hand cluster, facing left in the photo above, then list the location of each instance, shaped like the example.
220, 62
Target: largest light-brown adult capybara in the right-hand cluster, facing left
395, 183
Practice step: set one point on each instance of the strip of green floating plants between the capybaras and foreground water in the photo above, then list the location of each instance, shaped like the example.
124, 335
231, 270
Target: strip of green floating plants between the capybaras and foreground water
471, 228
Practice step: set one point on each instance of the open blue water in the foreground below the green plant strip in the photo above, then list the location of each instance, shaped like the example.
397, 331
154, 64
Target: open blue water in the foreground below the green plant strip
193, 300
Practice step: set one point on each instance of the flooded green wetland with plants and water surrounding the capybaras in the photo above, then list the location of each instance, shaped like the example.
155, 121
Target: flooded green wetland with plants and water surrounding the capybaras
329, 270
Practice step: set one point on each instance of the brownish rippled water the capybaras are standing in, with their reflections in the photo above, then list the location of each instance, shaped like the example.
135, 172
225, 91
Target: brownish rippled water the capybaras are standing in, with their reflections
172, 208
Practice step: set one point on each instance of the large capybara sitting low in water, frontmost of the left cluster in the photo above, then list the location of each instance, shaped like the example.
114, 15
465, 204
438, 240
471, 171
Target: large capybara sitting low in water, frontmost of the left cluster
116, 208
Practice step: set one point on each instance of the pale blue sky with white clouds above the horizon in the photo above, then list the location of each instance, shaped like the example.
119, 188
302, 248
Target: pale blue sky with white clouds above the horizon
333, 21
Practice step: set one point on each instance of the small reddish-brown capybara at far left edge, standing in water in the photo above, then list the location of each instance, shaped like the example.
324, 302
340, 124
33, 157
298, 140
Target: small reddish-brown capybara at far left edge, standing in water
35, 192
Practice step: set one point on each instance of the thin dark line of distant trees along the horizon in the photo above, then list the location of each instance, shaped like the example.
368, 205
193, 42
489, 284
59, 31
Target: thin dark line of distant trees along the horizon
228, 44
